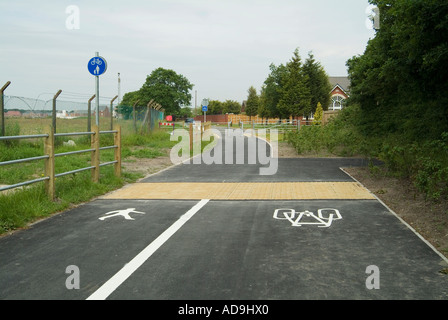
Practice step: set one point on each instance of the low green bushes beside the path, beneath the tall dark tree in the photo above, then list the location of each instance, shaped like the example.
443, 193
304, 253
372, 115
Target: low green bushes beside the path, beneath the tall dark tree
425, 162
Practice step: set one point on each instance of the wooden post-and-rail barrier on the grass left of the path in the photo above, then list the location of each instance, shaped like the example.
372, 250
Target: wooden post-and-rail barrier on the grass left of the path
49, 157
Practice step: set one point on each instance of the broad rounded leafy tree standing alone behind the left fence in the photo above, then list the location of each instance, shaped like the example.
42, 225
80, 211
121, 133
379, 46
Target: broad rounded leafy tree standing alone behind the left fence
169, 89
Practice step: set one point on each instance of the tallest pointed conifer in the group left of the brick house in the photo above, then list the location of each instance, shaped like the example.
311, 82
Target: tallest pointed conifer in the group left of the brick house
296, 95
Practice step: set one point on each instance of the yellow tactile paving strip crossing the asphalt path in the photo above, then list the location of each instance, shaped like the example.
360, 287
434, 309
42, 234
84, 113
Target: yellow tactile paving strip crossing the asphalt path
243, 191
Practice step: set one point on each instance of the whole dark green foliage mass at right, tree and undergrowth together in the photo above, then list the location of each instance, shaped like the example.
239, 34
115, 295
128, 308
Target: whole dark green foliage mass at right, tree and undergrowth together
401, 86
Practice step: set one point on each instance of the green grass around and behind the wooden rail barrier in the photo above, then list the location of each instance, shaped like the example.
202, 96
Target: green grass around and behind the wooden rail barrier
24, 205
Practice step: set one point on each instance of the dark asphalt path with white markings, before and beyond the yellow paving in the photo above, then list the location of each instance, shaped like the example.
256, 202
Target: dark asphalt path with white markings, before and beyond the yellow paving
170, 249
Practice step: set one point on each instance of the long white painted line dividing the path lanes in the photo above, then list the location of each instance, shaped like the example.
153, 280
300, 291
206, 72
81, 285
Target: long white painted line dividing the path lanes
113, 283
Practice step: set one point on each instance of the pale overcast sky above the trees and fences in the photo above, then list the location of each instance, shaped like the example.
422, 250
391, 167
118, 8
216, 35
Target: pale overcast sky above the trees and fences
223, 47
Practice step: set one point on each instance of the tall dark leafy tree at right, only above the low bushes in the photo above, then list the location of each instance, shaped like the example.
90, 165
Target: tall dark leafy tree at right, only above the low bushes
400, 82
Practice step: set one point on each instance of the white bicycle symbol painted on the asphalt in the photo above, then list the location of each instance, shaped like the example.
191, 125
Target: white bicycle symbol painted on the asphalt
323, 219
